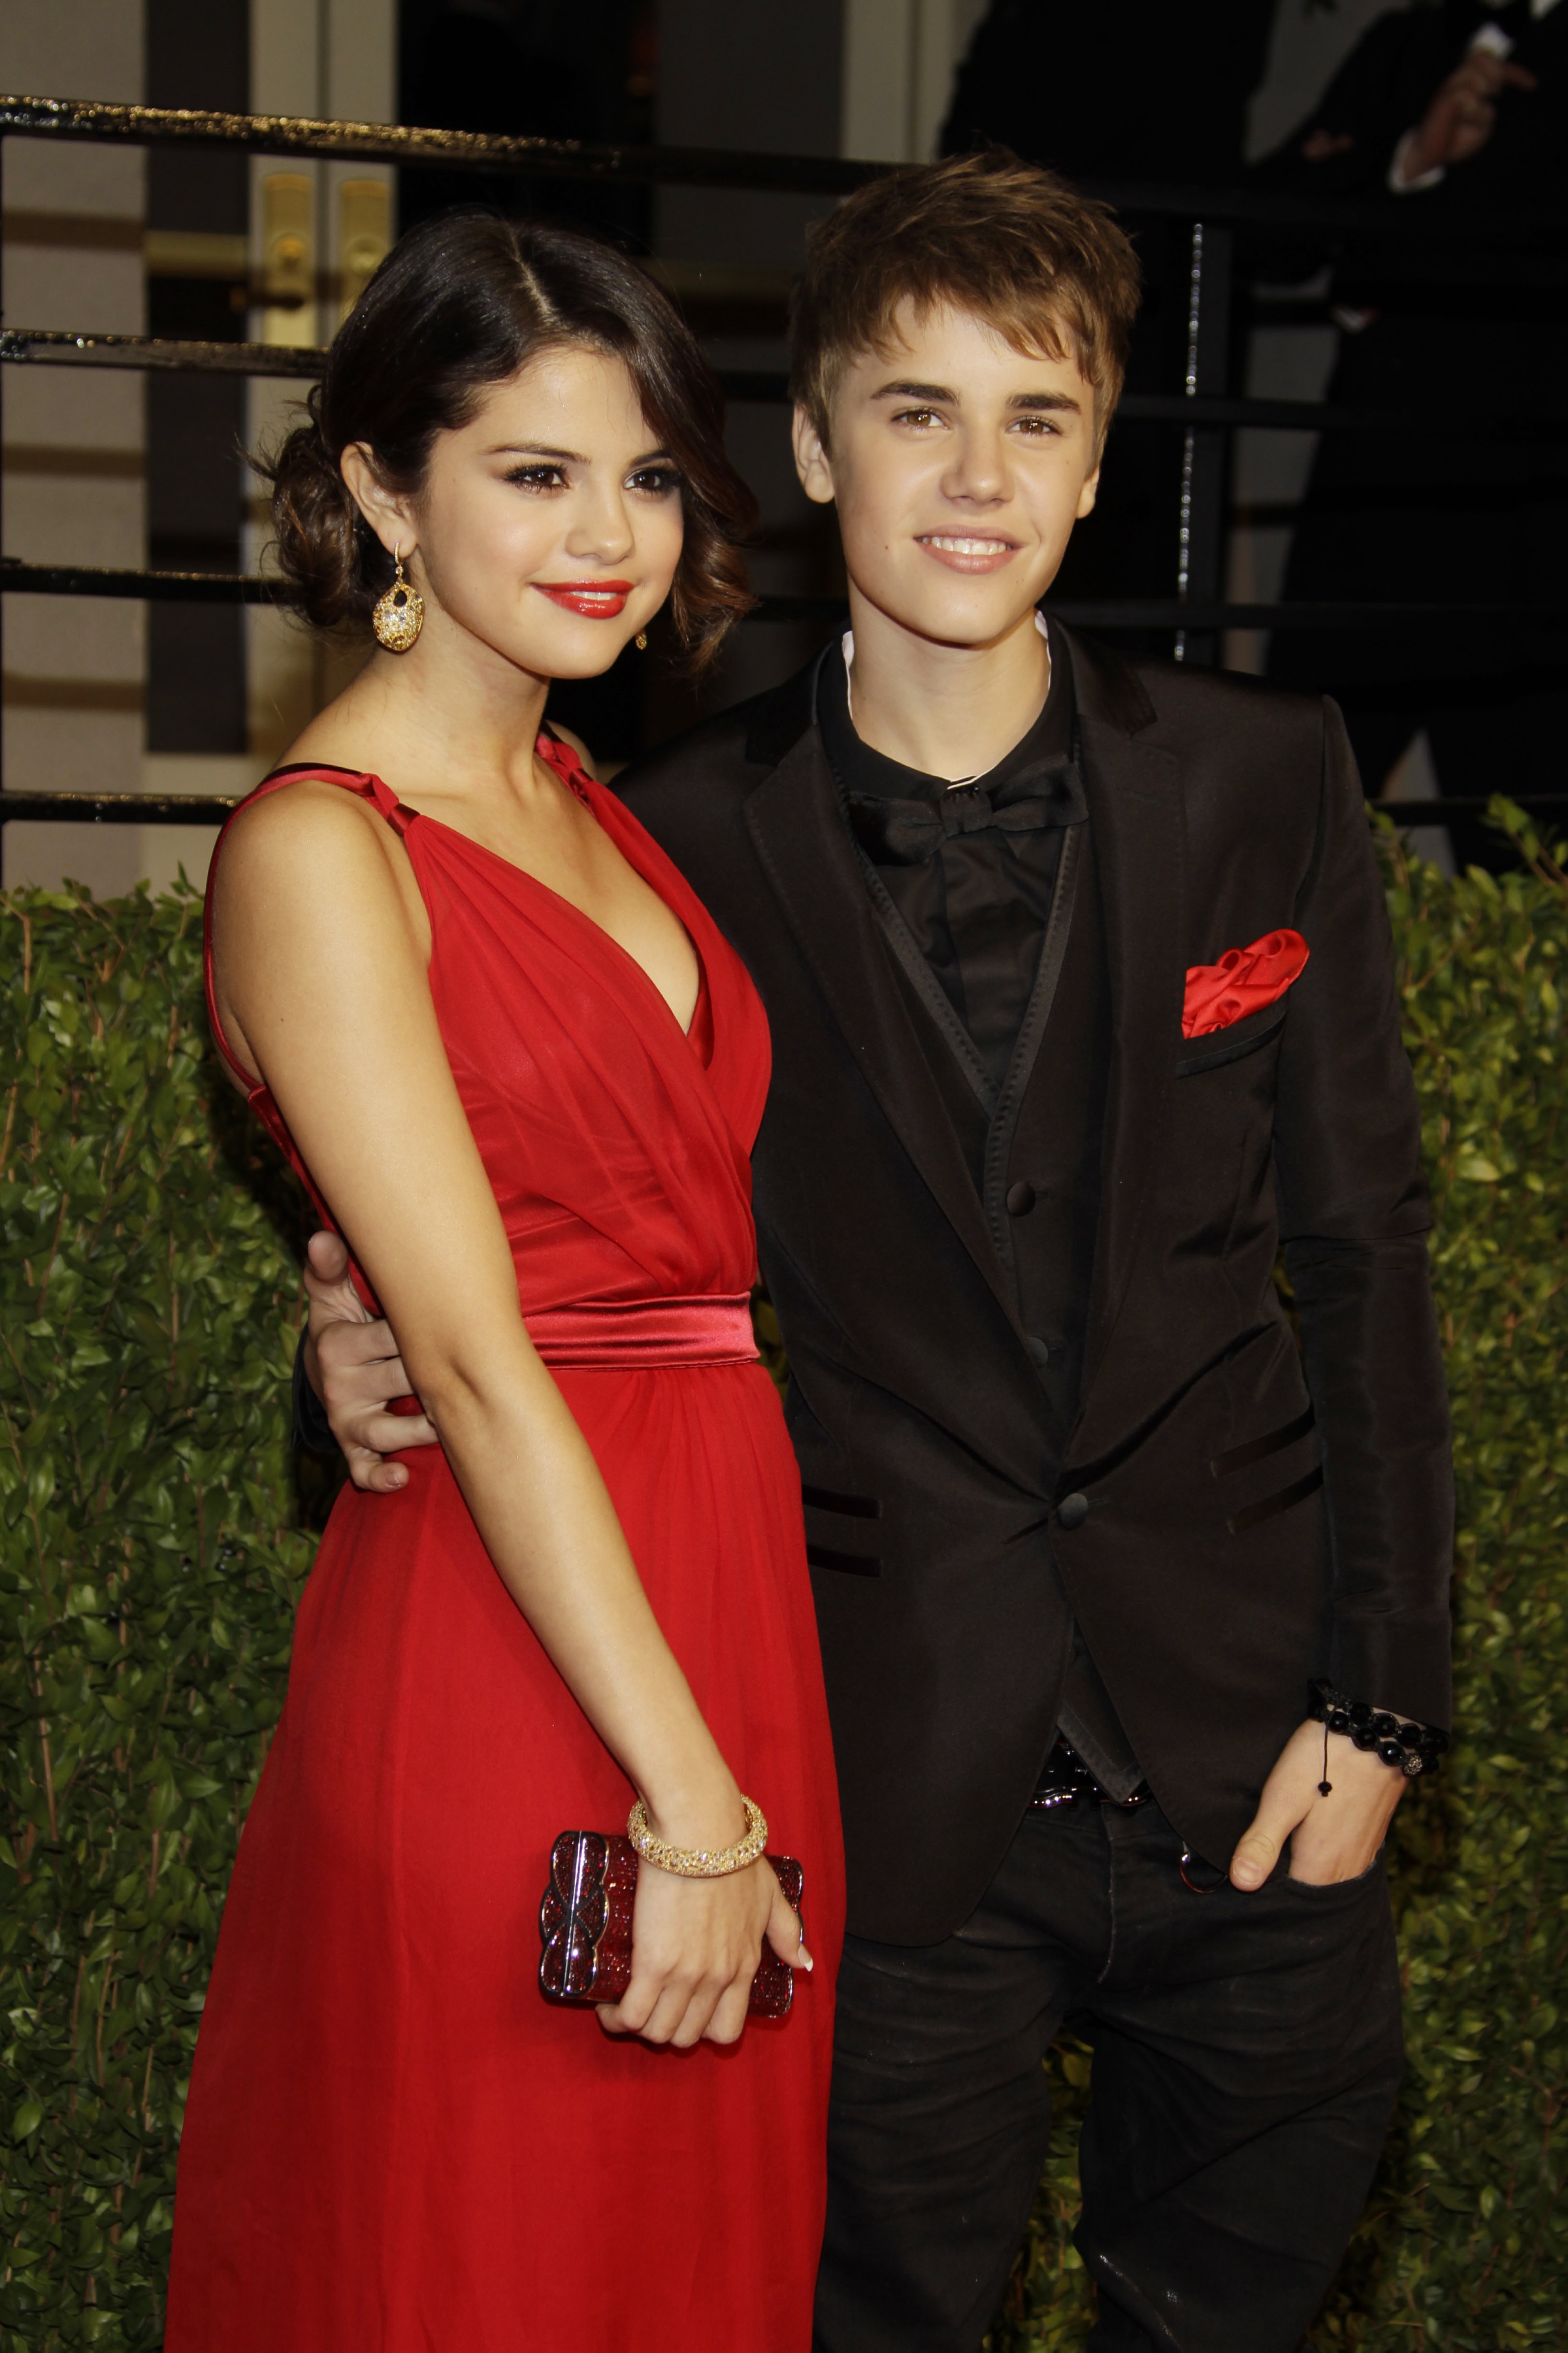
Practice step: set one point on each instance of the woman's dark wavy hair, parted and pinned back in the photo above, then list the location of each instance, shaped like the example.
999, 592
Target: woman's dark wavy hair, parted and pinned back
465, 302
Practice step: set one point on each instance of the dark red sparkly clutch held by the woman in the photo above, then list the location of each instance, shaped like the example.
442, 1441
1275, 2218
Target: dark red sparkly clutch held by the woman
585, 1924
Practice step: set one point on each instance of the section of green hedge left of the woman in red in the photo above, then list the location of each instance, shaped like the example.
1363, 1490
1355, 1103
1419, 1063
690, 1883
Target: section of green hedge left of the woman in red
152, 1557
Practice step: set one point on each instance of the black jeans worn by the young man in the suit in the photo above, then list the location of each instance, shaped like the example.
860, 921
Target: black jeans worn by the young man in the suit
1247, 2060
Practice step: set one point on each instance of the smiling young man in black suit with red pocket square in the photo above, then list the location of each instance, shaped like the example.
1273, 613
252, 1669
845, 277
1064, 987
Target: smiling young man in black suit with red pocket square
1082, 1001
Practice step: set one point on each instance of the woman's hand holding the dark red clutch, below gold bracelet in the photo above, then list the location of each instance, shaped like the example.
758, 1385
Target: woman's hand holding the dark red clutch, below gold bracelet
696, 1947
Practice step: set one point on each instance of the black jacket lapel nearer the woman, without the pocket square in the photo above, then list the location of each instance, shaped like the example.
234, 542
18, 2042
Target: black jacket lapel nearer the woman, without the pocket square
809, 858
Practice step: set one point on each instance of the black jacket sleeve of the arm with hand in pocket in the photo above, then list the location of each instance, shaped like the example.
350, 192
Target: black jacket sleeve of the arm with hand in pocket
1355, 1225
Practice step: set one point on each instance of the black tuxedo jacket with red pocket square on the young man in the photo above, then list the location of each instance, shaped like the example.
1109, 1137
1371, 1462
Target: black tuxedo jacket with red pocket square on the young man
1258, 1514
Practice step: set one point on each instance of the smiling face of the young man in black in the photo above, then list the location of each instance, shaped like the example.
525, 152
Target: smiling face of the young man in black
959, 469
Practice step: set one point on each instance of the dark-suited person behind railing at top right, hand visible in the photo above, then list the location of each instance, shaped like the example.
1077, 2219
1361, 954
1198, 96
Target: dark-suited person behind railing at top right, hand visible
1456, 109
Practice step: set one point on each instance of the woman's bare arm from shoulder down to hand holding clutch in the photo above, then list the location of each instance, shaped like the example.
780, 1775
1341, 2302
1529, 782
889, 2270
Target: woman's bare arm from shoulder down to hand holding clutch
321, 973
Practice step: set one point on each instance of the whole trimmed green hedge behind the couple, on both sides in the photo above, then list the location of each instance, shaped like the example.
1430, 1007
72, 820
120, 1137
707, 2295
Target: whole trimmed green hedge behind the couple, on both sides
157, 1540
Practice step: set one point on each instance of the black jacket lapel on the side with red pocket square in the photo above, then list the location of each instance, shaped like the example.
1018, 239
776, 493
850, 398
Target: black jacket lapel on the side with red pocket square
1136, 813
